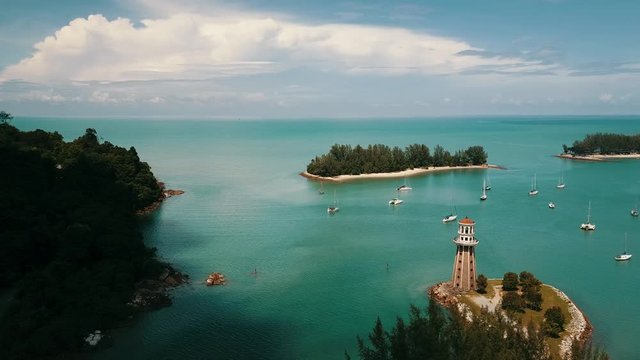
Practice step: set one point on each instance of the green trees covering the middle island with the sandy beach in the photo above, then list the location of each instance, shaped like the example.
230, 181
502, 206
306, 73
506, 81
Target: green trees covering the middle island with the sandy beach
348, 160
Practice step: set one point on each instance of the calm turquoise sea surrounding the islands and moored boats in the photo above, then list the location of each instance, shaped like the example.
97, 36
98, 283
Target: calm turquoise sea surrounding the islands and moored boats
321, 280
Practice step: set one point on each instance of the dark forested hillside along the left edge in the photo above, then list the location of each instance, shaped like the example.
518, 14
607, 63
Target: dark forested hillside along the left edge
70, 248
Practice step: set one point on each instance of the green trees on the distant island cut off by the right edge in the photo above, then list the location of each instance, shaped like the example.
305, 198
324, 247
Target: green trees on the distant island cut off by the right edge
604, 143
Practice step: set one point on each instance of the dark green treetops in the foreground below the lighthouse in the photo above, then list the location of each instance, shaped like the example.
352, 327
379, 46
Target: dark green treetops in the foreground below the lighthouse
449, 335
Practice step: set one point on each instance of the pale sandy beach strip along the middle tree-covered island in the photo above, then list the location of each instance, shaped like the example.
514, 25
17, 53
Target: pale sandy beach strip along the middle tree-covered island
398, 174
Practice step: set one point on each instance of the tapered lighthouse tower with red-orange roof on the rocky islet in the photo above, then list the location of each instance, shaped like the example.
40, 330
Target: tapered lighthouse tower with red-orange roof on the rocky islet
463, 277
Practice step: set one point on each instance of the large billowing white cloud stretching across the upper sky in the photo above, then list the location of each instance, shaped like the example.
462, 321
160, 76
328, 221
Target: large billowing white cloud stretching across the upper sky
196, 46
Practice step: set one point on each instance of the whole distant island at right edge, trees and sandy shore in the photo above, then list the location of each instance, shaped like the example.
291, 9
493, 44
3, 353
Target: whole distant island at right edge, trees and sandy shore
603, 146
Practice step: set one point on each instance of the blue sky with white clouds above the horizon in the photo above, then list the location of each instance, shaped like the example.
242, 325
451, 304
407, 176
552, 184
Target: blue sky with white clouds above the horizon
316, 59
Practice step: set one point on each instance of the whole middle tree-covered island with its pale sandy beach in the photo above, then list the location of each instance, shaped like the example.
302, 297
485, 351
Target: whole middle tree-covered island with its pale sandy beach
346, 163
